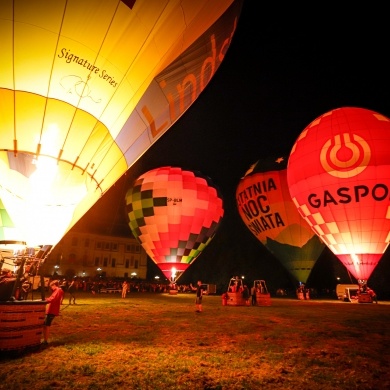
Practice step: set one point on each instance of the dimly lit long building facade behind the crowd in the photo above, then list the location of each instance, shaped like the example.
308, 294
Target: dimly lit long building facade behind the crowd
92, 255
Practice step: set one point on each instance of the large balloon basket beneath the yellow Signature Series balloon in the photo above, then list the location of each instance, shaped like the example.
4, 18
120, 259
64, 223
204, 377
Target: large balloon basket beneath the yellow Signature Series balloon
21, 324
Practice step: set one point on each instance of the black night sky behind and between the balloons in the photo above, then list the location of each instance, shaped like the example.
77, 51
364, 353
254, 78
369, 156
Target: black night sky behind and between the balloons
284, 68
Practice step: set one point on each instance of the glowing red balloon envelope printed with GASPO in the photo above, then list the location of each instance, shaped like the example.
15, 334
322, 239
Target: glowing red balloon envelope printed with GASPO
339, 178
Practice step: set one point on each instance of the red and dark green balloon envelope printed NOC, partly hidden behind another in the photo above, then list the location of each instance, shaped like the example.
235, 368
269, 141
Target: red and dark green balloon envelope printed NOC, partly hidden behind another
266, 208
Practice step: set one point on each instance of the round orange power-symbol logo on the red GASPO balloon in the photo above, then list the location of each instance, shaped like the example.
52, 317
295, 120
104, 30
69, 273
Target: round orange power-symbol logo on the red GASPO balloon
345, 156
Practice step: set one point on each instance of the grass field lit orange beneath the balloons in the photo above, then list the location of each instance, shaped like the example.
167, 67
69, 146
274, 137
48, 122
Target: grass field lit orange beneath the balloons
157, 341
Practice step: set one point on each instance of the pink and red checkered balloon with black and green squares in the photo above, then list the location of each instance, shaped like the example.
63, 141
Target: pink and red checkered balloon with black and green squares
174, 214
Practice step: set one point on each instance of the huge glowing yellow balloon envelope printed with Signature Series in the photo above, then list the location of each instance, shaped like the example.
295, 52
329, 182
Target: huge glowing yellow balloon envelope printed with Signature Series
86, 87
